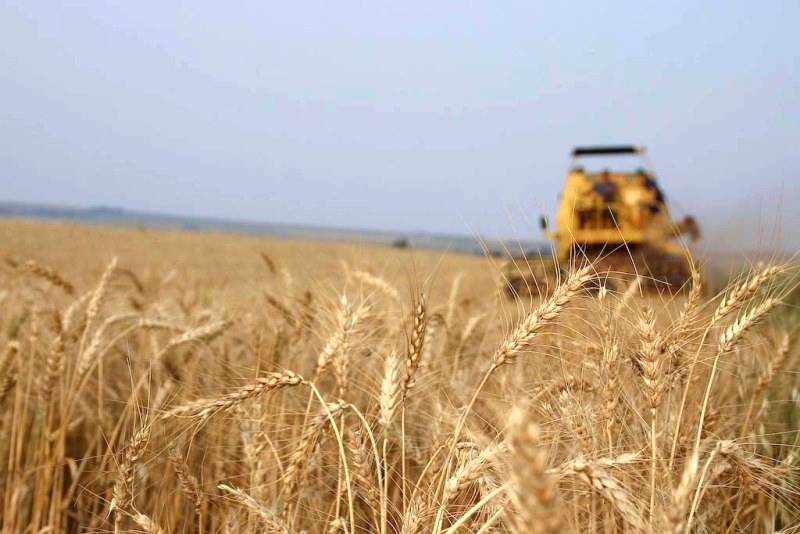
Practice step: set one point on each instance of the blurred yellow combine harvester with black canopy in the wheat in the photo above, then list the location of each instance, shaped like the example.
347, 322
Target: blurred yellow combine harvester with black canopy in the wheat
617, 220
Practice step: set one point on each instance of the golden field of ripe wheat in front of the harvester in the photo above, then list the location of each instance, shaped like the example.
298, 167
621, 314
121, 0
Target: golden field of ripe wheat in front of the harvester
169, 381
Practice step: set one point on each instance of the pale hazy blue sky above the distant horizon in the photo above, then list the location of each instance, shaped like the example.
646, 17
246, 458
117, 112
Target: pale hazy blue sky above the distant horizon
441, 116
